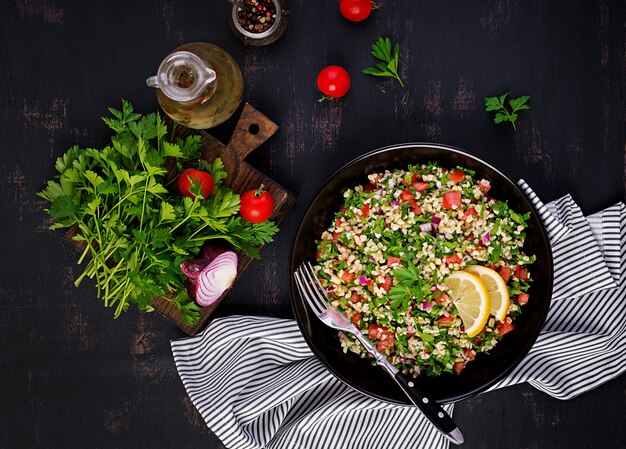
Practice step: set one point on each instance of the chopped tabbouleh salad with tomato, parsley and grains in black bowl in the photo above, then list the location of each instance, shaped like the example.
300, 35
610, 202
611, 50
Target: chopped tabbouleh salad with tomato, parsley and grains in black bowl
393, 243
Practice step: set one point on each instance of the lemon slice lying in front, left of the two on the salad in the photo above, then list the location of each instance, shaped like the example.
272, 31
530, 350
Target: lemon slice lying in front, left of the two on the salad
471, 298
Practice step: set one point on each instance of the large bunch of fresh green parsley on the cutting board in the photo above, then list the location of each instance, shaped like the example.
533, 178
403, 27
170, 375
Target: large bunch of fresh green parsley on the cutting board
136, 230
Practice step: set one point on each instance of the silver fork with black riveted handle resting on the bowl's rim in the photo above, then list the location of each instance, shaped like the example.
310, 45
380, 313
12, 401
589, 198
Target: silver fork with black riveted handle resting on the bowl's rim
315, 296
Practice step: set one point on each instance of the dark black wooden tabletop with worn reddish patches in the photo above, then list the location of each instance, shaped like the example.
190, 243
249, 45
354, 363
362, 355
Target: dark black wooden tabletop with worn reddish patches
72, 377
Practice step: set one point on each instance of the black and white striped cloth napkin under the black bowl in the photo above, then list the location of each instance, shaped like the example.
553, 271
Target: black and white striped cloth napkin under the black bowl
257, 385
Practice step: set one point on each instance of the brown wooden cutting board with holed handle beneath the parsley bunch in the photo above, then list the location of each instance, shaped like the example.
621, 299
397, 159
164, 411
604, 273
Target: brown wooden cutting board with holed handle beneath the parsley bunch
253, 128
